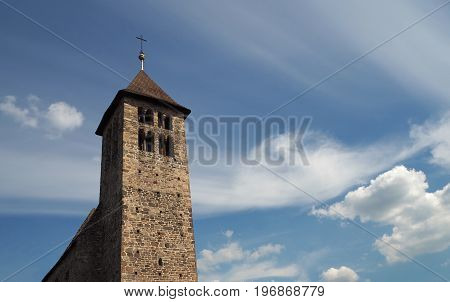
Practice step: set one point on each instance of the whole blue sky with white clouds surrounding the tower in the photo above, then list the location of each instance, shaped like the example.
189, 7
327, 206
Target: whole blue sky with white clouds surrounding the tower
378, 145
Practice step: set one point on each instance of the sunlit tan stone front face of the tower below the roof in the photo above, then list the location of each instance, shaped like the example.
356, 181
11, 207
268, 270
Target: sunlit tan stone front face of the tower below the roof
157, 234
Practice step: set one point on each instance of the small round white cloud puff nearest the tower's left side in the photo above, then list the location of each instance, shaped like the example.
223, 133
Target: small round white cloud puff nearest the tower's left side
62, 116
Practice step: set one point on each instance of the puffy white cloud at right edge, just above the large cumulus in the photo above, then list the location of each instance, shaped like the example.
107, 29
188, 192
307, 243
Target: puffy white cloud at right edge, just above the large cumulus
436, 136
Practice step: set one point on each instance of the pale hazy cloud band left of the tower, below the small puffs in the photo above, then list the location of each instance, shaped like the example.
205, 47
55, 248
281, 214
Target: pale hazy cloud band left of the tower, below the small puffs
33, 174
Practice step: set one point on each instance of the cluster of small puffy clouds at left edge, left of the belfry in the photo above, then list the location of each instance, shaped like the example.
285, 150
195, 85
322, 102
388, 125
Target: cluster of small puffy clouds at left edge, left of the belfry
58, 118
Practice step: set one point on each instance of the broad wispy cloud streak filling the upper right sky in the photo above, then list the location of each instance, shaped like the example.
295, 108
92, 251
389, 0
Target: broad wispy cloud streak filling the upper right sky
291, 40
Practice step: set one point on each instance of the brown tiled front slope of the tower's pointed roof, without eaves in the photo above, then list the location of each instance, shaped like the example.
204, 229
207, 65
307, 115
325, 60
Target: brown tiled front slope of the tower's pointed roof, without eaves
143, 84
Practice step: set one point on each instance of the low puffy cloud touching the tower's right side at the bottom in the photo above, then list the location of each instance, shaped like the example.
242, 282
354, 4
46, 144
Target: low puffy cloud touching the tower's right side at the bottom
232, 262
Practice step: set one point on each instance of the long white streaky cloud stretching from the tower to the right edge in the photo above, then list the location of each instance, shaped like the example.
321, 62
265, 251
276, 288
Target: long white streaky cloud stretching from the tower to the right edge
333, 168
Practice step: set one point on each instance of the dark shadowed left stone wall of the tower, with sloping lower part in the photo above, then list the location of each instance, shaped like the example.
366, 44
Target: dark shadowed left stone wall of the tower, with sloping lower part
94, 253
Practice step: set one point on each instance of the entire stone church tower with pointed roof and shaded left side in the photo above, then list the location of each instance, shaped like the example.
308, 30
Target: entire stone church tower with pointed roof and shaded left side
142, 228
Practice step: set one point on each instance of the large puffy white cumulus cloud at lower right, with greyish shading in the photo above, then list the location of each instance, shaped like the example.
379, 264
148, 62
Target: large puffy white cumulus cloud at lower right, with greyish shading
399, 198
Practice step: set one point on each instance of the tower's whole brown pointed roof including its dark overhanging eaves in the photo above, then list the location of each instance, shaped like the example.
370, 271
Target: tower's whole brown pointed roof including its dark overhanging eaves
141, 87
